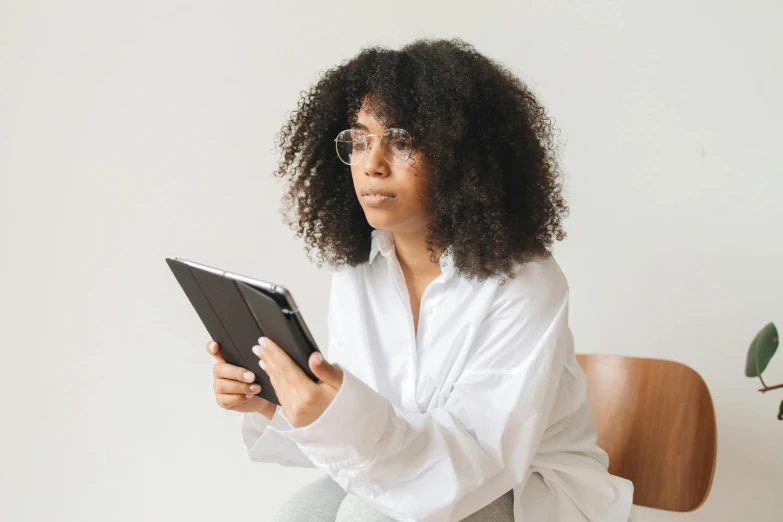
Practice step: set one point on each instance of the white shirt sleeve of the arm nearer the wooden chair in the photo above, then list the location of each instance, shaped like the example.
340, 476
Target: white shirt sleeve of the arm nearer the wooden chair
449, 462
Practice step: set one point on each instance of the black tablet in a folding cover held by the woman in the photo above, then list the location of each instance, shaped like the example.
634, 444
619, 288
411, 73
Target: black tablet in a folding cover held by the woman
237, 310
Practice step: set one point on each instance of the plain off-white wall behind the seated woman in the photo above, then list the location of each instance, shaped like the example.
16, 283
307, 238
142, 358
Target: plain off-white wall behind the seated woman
132, 131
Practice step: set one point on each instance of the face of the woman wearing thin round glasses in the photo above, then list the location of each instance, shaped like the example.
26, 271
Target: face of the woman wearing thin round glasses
389, 194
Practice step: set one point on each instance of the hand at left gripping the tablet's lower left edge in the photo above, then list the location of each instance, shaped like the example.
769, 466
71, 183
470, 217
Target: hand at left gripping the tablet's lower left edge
234, 389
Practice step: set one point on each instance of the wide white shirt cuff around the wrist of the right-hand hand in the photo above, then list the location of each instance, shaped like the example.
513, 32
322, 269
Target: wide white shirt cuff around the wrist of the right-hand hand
348, 432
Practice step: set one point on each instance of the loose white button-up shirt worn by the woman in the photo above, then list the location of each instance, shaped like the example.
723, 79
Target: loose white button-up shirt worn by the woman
433, 425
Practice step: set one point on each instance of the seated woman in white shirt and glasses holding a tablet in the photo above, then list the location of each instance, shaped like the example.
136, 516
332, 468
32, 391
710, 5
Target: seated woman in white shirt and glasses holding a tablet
428, 178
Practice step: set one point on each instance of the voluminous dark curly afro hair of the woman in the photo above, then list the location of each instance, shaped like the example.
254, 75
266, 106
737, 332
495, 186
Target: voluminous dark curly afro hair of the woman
494, 189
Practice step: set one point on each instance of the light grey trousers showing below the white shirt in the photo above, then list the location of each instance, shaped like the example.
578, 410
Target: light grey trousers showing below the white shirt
325, 501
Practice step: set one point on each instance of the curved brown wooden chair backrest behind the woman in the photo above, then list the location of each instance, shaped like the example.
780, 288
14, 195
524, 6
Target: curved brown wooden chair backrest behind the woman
656, 421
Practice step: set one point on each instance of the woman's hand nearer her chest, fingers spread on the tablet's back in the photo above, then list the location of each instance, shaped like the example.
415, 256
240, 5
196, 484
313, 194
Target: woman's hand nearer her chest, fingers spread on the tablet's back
302, 400
